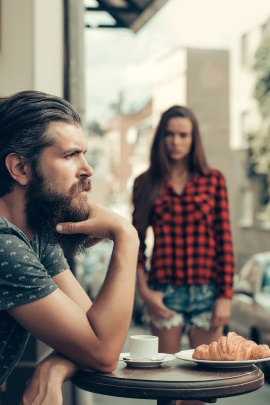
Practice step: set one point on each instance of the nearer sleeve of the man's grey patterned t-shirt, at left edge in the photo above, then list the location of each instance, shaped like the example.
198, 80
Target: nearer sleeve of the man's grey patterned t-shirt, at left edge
23, 278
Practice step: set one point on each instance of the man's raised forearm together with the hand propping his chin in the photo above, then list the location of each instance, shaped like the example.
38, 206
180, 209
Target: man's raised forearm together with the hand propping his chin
110, 315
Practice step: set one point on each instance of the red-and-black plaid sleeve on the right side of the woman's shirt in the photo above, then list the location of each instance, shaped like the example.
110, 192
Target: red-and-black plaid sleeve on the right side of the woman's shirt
222, 229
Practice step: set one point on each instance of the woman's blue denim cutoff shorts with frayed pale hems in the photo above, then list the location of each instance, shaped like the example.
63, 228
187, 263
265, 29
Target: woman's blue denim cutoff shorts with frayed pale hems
193, 305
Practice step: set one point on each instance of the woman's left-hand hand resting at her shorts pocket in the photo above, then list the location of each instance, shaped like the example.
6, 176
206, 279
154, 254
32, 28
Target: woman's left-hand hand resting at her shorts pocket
154, 302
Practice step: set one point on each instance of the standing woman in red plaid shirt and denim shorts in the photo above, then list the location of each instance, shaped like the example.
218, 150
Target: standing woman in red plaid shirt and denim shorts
189, 285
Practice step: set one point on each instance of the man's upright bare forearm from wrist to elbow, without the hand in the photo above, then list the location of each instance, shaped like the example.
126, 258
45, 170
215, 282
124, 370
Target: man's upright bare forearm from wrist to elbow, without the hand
111, 311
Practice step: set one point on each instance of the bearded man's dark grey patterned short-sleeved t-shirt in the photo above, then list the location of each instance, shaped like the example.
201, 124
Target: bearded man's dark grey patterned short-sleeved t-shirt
26, 271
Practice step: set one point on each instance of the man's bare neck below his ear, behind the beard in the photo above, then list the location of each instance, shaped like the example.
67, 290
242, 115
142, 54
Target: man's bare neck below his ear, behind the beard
12, 208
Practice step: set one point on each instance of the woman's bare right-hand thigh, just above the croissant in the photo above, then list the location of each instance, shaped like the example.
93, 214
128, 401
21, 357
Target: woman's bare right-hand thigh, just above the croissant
198, 336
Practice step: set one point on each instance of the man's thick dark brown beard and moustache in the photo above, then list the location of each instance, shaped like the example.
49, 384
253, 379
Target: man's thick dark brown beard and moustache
45, 208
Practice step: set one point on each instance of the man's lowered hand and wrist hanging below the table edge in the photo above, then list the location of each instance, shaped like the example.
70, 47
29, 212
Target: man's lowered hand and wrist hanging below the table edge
45, 385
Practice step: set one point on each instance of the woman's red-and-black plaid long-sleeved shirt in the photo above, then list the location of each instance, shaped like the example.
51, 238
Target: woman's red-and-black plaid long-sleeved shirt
193, 241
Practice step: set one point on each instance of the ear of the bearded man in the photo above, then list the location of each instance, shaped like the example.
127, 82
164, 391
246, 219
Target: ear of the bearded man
18, 168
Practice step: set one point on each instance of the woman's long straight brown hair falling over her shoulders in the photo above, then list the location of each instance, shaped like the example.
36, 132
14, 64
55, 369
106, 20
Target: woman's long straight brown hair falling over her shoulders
147, 186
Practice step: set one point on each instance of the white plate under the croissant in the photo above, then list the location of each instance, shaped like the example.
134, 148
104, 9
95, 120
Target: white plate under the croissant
187, 355
